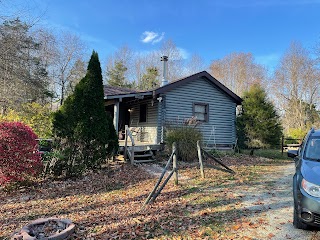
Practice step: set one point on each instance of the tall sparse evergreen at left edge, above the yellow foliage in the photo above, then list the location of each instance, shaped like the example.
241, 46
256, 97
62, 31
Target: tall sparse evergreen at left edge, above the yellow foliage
23, 75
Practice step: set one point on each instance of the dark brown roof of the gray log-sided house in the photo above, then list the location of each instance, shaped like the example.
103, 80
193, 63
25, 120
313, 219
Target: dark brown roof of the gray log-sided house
111, 92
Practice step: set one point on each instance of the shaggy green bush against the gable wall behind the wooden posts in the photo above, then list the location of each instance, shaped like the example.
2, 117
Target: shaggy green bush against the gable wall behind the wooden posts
186, 138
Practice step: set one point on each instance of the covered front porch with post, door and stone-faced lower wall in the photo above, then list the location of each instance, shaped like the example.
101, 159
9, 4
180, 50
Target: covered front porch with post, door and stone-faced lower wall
139, 111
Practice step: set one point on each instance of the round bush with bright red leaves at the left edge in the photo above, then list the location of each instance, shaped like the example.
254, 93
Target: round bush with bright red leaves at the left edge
19, 158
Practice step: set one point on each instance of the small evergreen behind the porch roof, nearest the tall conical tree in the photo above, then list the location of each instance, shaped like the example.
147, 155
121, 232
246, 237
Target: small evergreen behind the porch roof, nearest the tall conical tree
116, 76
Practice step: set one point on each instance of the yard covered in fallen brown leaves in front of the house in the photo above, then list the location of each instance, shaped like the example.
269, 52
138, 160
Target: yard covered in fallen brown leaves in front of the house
107, 204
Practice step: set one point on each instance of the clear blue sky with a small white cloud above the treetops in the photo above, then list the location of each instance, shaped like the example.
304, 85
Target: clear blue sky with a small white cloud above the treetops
211, 29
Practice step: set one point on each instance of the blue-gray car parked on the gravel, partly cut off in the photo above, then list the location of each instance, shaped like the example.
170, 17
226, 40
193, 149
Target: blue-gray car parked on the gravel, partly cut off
306, 181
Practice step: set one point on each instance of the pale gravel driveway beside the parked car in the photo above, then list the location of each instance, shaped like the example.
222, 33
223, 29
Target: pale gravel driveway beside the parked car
272, 204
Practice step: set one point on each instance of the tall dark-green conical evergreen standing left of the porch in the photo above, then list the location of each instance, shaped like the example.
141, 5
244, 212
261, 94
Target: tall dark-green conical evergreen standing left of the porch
85, 134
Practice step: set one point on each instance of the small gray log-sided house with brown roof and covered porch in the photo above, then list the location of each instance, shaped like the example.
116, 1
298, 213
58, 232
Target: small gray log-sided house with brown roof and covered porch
200, 96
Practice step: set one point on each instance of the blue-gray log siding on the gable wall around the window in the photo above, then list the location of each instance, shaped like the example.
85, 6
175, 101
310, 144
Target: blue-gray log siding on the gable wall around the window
222, 110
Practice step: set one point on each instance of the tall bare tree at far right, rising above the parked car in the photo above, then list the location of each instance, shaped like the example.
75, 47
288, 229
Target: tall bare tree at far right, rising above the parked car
296, 86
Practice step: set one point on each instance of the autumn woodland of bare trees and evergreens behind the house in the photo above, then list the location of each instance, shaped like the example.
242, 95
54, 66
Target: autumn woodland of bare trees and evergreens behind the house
39, 69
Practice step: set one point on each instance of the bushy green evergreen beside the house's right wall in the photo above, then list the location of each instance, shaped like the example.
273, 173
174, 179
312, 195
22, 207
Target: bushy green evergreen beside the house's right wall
258, 124
